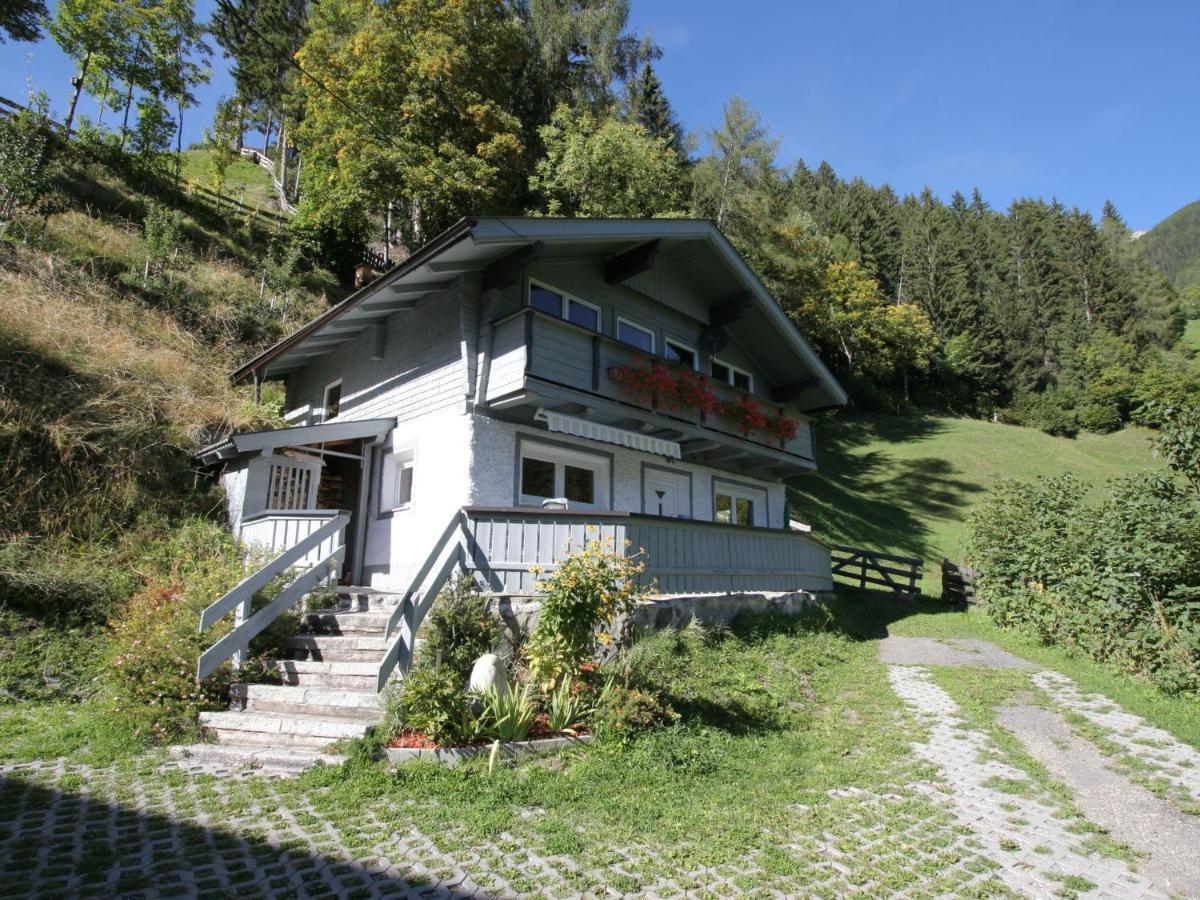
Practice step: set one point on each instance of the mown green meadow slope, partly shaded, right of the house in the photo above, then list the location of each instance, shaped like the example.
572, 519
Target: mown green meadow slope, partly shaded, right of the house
907, 484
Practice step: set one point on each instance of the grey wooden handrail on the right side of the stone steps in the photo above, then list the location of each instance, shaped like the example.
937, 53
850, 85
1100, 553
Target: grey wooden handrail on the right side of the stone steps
449, 555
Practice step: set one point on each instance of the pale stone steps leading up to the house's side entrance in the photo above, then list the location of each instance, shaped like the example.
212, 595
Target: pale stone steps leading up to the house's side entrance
327, 694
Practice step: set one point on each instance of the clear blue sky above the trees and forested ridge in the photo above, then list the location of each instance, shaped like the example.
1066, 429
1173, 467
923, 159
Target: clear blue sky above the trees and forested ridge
1082, 101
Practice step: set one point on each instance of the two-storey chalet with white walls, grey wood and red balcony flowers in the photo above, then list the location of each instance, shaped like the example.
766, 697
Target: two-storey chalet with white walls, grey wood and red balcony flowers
517, 382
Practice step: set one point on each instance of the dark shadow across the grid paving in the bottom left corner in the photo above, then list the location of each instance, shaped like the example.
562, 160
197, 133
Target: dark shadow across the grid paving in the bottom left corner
56, 842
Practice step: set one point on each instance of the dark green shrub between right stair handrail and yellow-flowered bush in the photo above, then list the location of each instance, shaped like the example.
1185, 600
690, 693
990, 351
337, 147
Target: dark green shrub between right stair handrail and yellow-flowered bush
459, 629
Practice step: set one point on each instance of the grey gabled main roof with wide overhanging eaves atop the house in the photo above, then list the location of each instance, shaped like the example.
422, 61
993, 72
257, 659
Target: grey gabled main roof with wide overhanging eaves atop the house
698, 249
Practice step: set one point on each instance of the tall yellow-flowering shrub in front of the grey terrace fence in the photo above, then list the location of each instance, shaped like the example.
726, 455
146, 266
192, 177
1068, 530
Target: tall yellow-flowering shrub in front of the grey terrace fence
590, 590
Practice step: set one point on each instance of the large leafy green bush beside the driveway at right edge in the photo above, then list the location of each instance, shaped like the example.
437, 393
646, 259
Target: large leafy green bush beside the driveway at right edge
1120, 581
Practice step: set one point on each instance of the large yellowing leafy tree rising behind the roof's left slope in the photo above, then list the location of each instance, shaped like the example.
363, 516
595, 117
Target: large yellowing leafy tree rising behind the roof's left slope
419, 121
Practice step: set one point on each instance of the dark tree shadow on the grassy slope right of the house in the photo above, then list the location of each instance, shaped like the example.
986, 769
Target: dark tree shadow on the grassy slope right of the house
873, 500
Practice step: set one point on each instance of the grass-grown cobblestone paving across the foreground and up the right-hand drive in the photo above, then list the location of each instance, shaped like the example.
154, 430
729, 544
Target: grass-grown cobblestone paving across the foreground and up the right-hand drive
963, 820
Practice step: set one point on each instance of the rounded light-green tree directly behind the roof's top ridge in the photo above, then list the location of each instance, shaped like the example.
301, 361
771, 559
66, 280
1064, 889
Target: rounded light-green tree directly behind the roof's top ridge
605, 169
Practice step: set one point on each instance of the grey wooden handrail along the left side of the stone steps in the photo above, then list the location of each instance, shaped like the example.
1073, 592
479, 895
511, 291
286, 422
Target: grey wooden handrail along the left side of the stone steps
309, 575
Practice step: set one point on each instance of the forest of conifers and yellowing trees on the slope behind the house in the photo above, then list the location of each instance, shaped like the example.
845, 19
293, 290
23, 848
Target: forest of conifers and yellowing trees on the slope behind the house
387, 122
